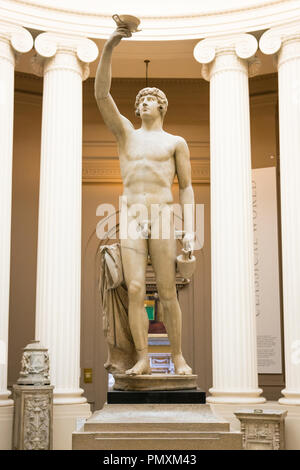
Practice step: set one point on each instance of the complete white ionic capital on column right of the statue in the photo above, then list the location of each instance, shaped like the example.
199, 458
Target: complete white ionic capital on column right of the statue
232, 53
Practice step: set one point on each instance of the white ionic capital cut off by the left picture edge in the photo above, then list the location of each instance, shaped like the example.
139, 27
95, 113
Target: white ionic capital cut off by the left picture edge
14, 40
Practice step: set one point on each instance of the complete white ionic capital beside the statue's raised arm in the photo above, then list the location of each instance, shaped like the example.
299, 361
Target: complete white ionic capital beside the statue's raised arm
61, 52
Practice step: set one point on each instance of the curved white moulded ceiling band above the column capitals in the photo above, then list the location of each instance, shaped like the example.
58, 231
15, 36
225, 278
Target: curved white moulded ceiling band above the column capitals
160, 19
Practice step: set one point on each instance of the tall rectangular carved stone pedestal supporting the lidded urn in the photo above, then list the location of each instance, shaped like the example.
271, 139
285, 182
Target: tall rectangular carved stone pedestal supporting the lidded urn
33, 420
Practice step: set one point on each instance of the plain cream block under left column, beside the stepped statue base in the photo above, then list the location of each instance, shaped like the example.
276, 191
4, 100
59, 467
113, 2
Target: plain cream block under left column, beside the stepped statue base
65, 418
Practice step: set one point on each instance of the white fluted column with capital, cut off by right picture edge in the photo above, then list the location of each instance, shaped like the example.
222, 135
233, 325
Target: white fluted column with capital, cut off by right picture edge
285, 41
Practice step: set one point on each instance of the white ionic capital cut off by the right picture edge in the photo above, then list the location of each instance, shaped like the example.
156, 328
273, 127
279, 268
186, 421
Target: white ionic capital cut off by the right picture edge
272, 41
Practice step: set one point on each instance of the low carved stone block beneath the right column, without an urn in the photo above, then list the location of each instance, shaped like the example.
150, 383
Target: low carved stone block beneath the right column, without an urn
262, 429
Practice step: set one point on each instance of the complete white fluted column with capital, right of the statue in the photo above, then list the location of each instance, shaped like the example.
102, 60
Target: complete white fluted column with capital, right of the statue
226, 66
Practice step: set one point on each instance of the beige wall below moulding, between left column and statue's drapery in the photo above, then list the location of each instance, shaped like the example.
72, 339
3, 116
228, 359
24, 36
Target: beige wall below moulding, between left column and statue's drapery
93, 346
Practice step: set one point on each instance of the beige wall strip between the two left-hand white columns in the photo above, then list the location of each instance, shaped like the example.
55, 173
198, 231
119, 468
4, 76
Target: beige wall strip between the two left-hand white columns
26, 167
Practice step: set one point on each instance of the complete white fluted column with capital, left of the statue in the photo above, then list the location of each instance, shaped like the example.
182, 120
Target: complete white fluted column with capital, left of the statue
63, 61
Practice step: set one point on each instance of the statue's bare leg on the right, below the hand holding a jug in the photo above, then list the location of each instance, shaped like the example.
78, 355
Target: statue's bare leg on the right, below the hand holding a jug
163, 257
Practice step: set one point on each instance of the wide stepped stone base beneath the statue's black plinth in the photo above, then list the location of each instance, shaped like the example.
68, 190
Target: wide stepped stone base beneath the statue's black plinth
155, 427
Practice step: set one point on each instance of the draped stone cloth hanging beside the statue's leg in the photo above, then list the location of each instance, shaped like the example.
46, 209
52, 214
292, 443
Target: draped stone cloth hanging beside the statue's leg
114, 300
